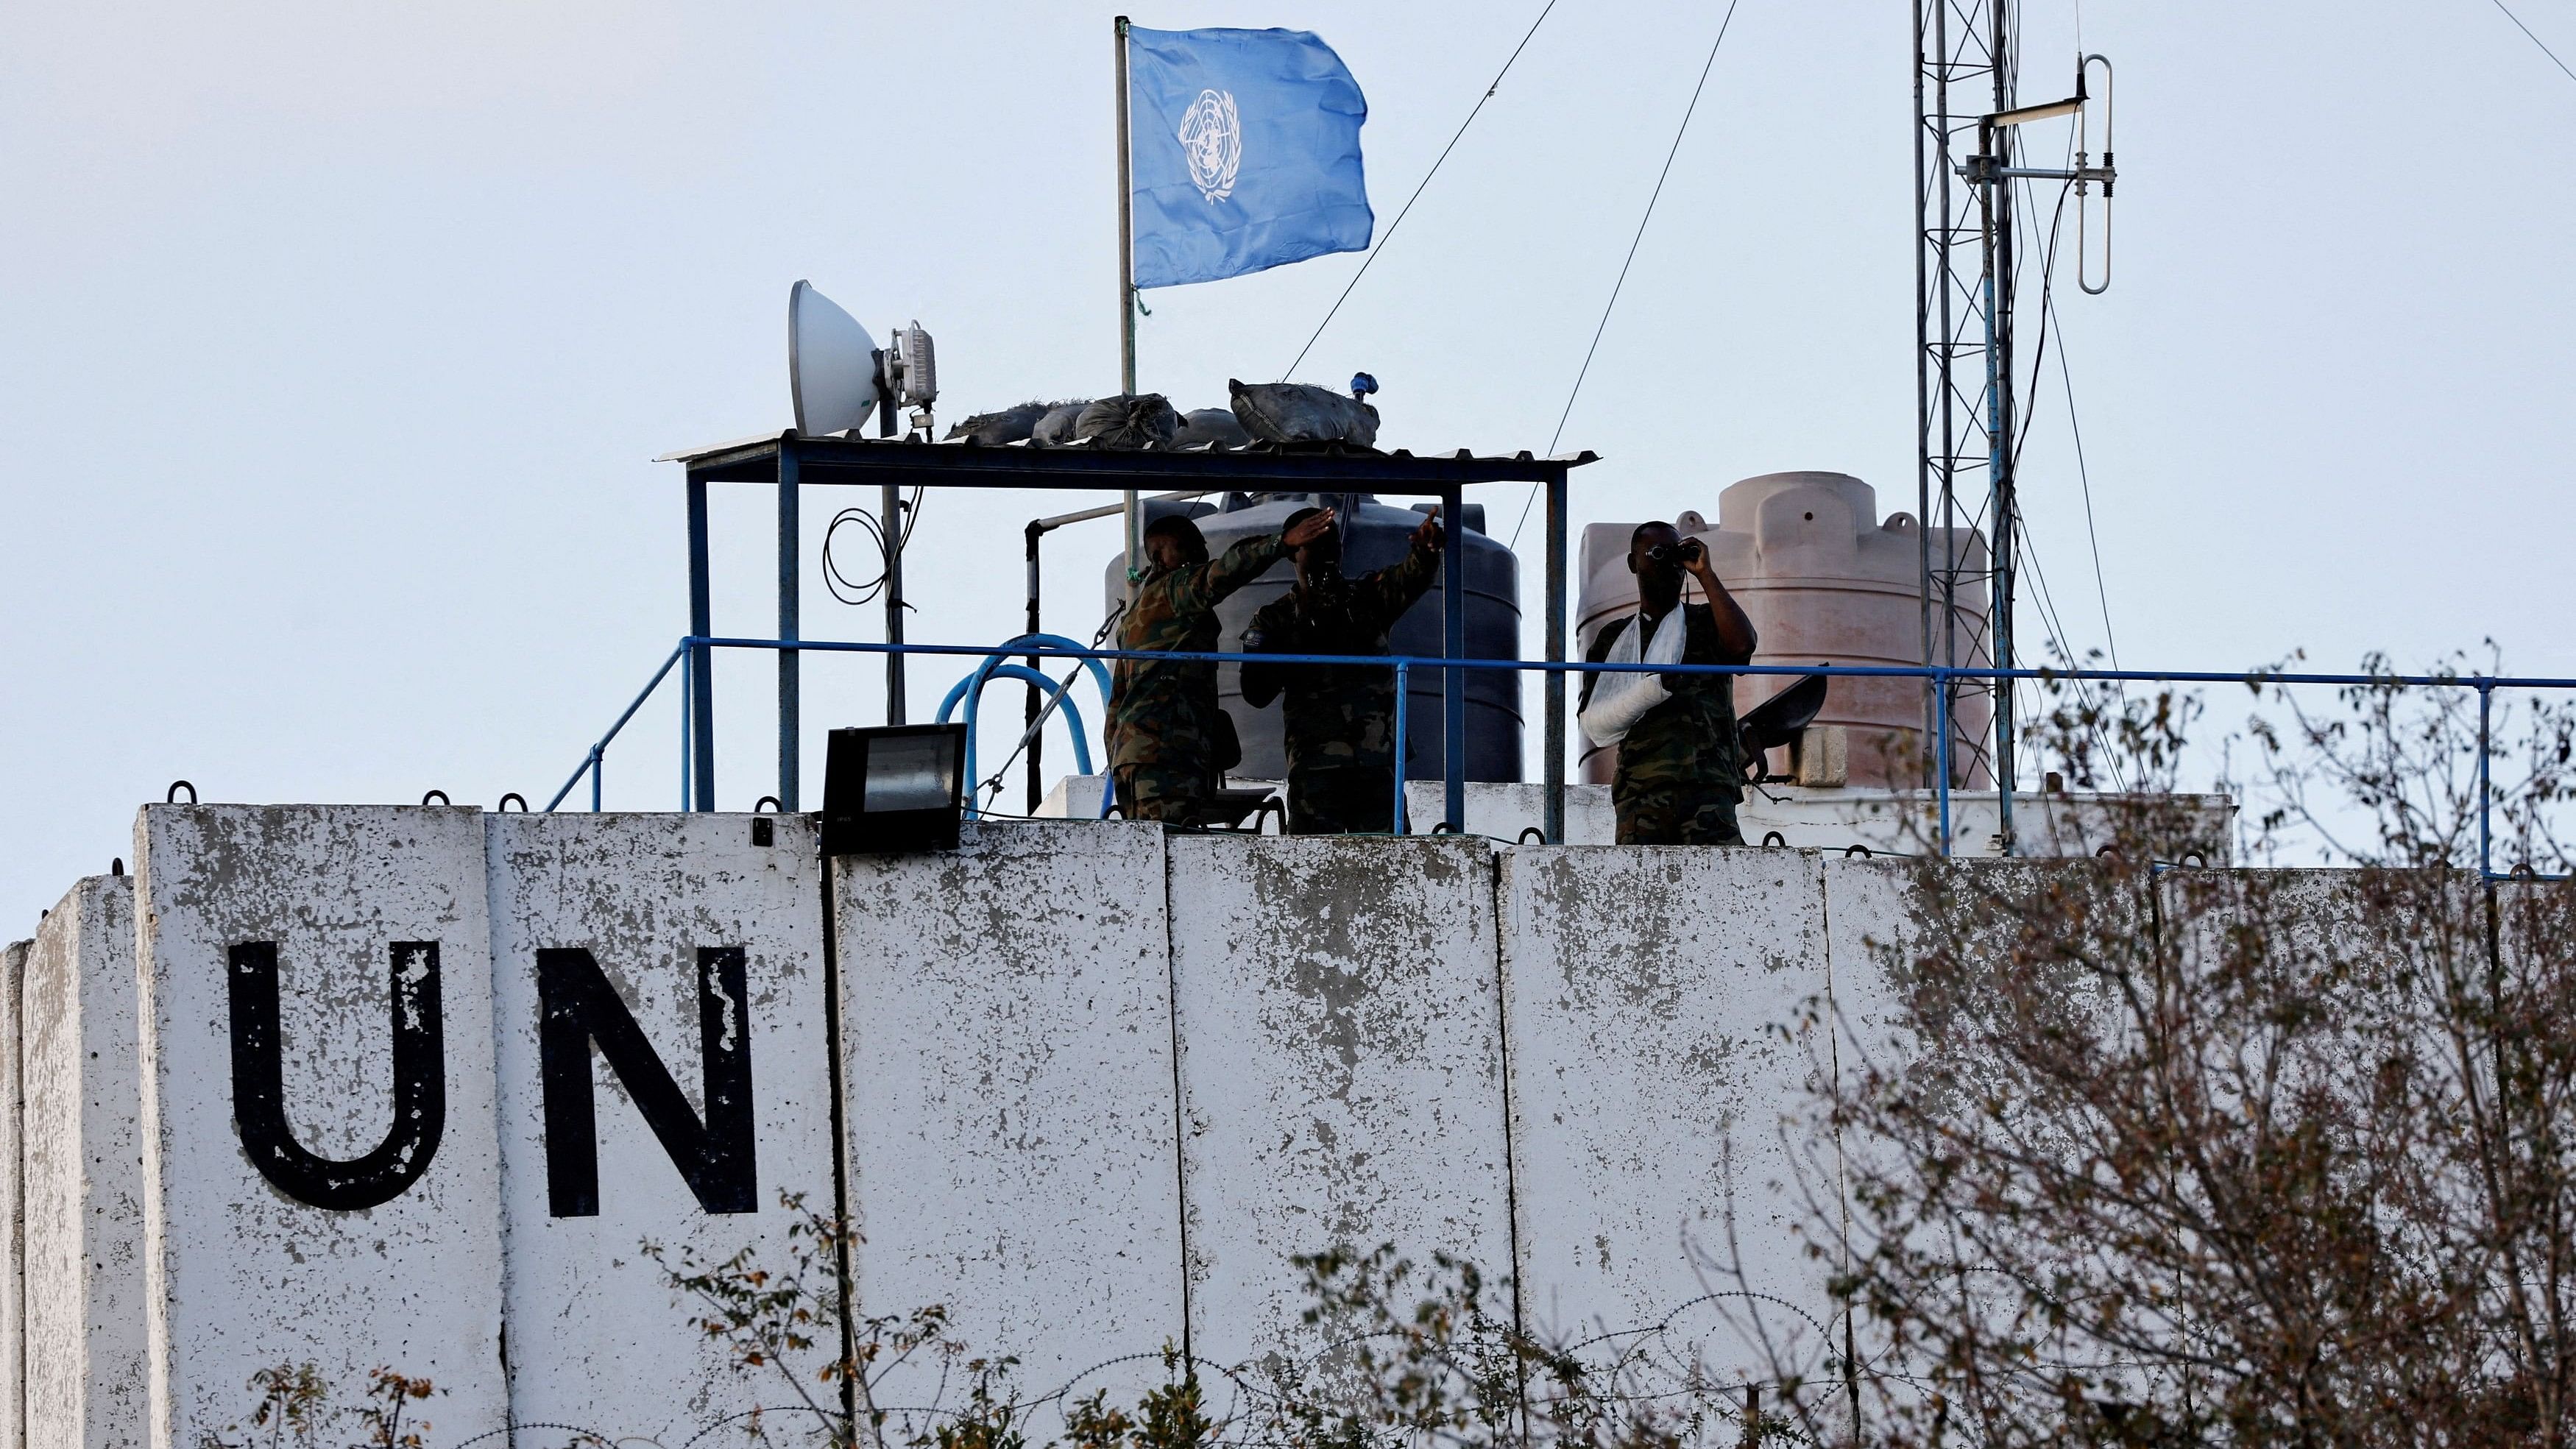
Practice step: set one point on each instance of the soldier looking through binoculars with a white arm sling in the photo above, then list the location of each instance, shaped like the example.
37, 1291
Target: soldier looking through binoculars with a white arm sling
1681, 768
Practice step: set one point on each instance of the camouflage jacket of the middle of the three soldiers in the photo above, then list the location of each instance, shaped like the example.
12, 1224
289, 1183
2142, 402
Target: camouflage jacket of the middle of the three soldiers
1336, 714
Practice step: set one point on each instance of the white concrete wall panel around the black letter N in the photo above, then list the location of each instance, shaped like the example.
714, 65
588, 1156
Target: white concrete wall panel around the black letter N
596, 1332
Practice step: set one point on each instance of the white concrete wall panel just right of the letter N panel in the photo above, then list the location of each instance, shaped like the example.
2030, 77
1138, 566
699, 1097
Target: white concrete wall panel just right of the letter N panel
1009, 1044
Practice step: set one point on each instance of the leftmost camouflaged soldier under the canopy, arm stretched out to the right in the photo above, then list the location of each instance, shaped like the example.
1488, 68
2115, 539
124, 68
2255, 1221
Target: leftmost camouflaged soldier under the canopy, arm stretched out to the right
1166, 727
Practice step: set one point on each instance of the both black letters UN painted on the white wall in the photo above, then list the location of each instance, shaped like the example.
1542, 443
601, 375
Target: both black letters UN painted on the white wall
578, 1010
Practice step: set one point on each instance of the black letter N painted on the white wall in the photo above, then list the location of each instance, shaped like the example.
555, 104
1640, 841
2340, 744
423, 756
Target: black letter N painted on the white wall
581, 1008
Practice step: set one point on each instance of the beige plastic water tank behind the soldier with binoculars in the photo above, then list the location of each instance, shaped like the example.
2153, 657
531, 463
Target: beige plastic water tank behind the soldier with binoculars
1825, 583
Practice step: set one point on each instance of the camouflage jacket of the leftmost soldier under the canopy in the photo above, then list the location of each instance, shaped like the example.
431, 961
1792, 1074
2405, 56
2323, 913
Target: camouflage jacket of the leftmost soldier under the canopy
1166, 714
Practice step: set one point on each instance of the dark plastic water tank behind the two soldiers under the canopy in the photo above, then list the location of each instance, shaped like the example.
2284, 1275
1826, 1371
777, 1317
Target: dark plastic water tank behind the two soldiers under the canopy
1374, 534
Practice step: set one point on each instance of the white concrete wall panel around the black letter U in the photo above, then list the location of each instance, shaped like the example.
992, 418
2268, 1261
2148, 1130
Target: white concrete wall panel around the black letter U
243, 1275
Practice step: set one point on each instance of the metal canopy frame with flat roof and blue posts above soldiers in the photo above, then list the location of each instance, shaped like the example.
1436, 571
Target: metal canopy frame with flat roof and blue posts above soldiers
792, 459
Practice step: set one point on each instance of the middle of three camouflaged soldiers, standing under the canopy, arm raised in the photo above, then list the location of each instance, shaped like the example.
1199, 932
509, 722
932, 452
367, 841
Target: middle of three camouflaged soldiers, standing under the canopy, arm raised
1341, 719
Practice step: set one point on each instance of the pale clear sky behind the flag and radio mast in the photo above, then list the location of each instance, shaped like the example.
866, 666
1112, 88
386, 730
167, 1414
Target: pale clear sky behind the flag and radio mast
336, 338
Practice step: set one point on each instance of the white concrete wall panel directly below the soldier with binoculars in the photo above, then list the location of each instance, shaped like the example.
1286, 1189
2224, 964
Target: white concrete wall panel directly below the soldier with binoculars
1660, 1062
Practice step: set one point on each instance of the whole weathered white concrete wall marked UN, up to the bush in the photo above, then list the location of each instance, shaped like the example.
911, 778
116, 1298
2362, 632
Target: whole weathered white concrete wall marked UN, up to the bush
1099, 1087
